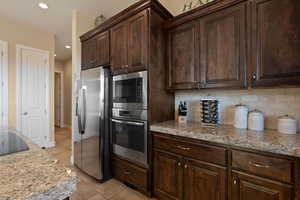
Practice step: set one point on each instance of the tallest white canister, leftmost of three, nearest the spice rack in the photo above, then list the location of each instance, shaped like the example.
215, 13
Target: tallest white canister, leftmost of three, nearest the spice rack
241, 117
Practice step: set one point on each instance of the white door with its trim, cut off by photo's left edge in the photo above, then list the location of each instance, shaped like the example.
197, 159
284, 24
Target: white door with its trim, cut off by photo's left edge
3, 84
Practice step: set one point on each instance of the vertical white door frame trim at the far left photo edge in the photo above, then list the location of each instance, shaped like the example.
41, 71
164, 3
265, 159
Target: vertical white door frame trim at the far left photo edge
4, 79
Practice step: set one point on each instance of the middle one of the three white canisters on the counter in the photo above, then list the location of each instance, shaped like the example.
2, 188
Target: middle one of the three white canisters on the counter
256, 121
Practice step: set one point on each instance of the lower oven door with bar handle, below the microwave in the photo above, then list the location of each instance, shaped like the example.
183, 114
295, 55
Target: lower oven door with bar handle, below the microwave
130, 140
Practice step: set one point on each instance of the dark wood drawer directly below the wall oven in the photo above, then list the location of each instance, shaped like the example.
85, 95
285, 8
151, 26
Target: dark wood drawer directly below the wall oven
128, 173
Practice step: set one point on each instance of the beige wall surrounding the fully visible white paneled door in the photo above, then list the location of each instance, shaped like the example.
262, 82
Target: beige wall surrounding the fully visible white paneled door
14, 34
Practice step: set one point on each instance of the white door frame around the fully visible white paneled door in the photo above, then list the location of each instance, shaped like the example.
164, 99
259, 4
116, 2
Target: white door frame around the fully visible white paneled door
19, 49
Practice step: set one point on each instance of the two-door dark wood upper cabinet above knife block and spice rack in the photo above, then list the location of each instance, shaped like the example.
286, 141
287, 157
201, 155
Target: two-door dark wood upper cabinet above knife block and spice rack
209, 52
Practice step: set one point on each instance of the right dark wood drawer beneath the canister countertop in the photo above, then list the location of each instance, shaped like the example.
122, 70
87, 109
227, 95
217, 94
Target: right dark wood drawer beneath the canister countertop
270, 167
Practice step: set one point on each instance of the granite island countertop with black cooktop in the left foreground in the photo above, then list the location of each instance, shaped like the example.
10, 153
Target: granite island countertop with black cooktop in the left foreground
34, 175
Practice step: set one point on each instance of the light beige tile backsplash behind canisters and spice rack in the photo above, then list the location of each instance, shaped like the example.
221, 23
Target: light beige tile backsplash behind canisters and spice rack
272, 102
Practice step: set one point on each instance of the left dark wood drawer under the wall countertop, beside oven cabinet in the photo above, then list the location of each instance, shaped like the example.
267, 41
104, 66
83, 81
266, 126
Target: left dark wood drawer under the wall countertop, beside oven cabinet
202, 152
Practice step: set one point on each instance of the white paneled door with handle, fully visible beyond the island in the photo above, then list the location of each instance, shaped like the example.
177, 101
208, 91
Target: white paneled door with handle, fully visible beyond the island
33, 65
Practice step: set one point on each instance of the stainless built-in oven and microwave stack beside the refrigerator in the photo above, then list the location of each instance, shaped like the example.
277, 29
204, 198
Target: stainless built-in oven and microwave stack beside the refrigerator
129, 125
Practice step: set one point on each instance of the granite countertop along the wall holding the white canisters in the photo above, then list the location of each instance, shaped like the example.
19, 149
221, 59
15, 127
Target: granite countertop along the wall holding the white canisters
268, 140
